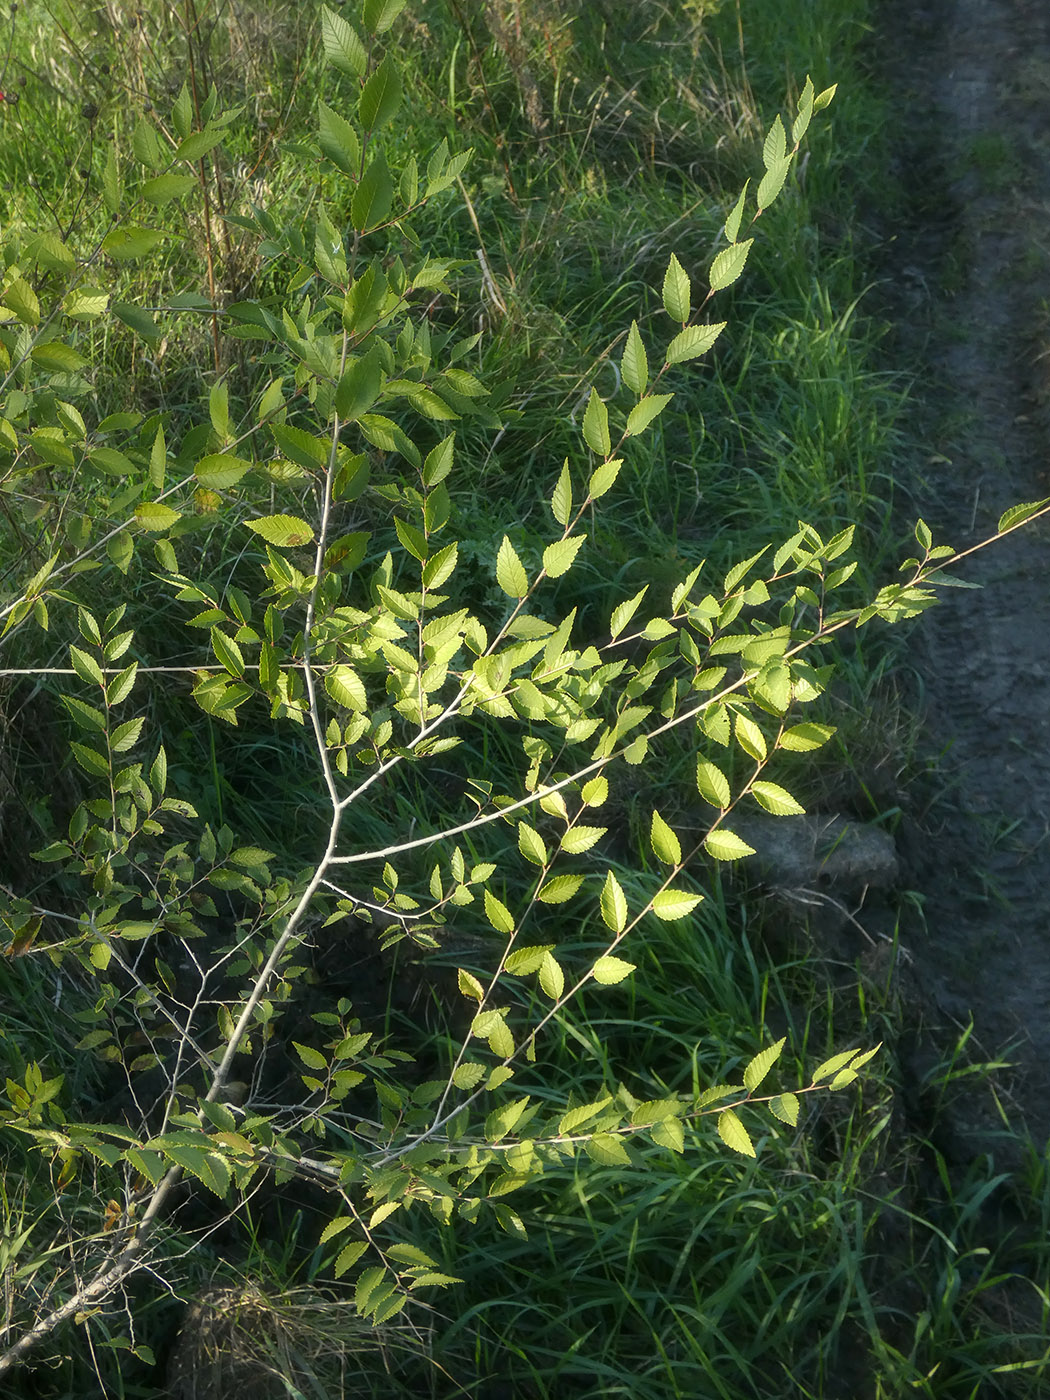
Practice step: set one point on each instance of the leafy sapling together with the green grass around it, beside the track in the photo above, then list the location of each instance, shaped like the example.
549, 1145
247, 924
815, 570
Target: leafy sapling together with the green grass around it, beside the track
416, 657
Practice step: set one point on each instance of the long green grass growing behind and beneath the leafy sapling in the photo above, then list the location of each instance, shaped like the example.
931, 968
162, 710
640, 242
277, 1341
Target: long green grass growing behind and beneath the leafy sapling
605, 138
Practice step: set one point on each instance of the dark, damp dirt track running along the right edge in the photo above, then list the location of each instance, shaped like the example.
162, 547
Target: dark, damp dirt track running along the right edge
974, 271
